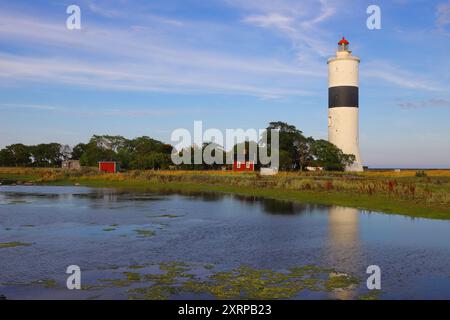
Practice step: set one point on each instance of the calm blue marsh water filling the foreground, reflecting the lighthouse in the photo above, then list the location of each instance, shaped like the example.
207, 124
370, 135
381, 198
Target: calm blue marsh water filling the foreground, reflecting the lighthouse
124, 241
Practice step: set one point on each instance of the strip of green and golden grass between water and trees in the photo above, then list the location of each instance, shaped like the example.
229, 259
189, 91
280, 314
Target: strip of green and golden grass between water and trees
426, 195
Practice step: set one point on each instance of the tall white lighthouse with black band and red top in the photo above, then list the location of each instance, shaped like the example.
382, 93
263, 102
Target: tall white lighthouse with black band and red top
343, 111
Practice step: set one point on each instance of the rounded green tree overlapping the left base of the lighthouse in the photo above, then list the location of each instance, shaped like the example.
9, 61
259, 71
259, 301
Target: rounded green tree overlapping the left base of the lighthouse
327, 155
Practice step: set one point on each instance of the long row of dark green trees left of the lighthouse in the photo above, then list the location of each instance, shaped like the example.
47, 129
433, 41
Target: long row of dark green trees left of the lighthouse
296, 152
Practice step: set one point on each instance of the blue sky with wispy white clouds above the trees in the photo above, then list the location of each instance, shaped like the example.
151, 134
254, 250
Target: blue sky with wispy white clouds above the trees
149, 67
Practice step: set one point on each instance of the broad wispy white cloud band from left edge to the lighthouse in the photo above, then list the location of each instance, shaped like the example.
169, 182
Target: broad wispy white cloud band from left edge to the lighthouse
127, 60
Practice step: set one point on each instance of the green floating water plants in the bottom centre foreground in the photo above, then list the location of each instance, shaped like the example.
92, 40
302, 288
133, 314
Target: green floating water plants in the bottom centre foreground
240, 283
